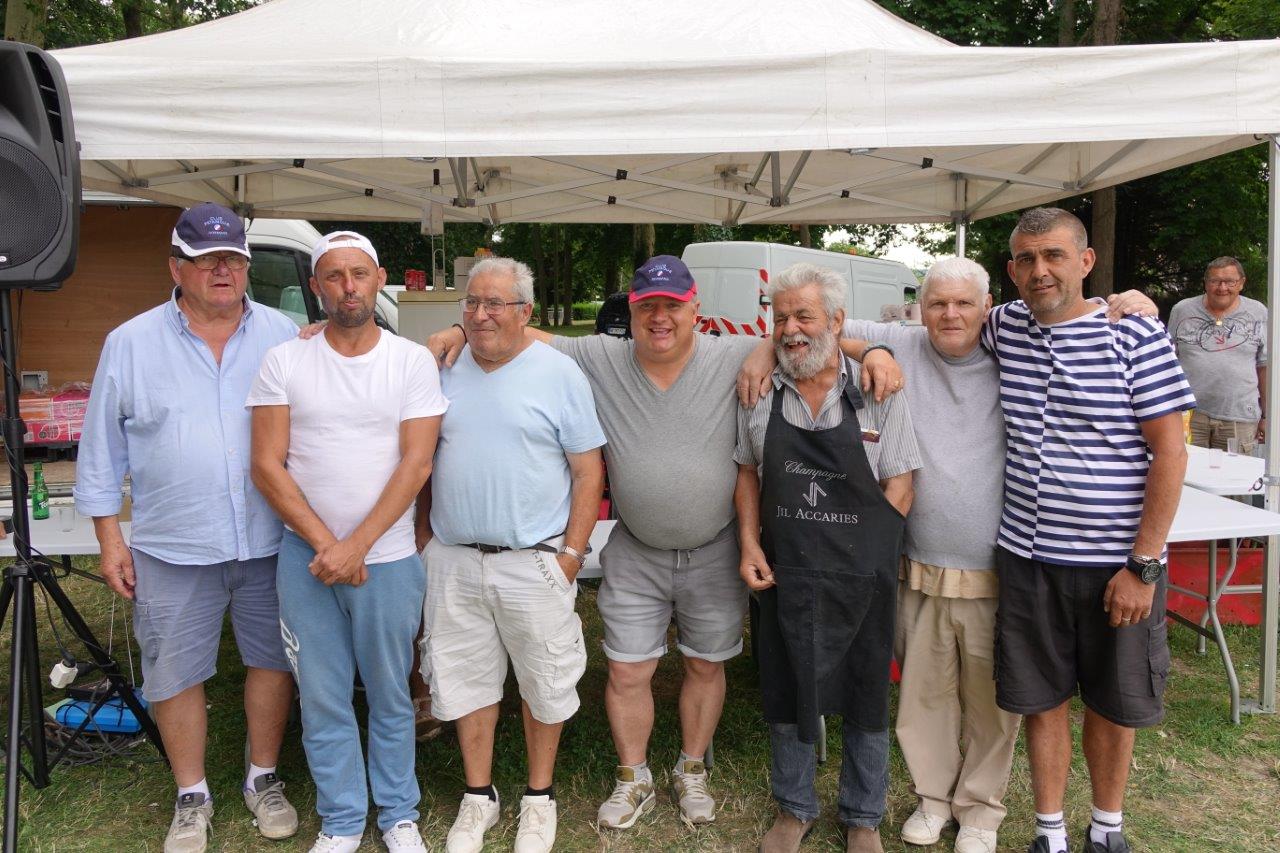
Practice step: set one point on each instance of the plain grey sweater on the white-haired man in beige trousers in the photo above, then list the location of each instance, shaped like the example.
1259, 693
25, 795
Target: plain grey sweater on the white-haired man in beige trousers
961, 430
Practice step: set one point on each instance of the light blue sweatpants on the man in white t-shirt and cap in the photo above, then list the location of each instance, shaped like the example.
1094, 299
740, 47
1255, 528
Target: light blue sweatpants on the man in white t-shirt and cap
330, 635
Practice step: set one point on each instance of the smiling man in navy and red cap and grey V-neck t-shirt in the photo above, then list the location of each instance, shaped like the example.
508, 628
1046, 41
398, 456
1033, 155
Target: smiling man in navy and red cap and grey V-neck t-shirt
668, 404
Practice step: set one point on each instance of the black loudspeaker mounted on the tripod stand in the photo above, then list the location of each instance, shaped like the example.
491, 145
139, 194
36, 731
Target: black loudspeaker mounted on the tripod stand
40, 184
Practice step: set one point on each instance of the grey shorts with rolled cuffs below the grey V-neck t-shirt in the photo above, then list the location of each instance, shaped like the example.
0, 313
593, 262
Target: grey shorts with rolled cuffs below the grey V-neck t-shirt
643, 587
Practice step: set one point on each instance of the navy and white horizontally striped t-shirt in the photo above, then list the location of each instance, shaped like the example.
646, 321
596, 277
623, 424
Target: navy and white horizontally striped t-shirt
1075, 396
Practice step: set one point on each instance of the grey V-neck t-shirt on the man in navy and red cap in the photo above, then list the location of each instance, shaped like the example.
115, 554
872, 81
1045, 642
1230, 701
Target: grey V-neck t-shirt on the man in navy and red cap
670, 453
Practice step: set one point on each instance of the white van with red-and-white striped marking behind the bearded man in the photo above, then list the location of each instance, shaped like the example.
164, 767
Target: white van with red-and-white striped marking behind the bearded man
732, 280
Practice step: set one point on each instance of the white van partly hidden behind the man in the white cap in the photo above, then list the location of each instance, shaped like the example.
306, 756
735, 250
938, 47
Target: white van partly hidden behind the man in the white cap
282, 268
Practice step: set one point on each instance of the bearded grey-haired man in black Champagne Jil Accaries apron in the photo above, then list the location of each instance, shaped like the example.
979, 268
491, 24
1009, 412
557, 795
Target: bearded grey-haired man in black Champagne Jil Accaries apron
825, 480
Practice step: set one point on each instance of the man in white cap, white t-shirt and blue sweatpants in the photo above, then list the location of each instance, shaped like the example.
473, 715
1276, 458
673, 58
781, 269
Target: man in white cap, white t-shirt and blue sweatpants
345, 428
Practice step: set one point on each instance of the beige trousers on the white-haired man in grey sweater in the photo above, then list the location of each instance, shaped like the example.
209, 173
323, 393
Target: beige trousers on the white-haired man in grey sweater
945, 649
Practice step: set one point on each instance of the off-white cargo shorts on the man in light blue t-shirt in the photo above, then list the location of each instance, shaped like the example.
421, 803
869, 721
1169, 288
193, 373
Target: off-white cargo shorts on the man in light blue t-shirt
483, 608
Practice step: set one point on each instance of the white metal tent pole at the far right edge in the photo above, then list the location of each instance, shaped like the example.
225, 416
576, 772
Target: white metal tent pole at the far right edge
1272, 577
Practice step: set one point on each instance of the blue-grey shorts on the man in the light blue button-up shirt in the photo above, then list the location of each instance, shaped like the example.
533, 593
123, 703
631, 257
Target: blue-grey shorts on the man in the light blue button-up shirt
179, 621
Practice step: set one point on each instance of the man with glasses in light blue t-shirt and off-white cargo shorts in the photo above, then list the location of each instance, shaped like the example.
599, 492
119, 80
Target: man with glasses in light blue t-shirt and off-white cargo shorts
514, 499
